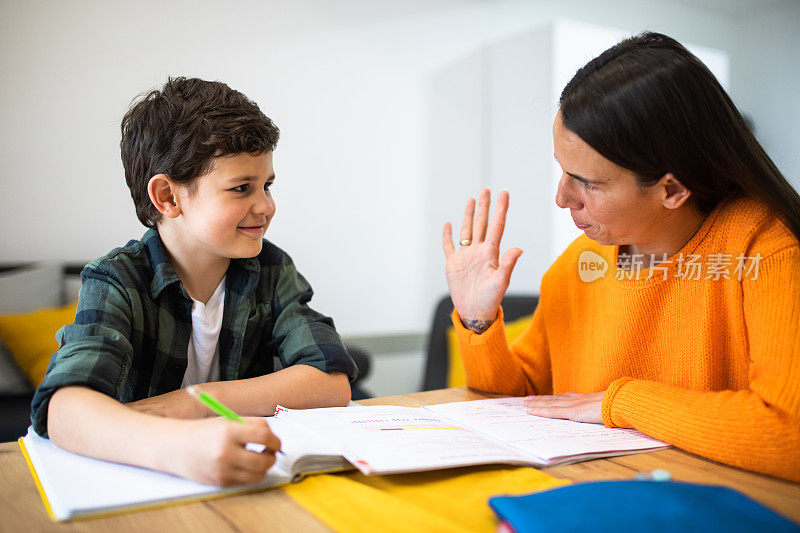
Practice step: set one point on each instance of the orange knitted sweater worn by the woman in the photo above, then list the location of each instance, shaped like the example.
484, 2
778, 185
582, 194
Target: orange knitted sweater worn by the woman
711, 366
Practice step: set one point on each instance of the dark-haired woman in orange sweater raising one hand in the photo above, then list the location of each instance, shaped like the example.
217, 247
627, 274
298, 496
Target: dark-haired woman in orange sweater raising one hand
692, 334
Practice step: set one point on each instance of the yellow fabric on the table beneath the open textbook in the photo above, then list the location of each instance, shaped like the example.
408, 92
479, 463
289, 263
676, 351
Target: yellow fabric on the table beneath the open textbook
452, 500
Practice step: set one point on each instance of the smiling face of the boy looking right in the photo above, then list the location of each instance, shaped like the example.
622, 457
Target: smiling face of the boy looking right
231, 207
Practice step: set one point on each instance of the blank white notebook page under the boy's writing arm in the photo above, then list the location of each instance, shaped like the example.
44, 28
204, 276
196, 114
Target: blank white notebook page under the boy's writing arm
76, 485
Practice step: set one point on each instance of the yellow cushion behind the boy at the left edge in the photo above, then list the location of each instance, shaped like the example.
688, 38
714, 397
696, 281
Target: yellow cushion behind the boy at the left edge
31, 337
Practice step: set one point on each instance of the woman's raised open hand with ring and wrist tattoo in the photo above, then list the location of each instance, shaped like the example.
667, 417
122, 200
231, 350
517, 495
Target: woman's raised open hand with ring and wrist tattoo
476, 276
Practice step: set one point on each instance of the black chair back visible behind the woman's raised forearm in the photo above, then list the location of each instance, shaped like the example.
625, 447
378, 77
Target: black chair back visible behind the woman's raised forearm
436, 361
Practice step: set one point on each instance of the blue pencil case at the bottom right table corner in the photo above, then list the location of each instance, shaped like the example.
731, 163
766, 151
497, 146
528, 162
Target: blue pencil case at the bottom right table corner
621, 506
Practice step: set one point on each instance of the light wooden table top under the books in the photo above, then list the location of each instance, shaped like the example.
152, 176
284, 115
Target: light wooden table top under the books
21, 508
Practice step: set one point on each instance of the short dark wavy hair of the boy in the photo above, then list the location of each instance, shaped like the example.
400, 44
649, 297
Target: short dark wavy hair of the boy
179, 129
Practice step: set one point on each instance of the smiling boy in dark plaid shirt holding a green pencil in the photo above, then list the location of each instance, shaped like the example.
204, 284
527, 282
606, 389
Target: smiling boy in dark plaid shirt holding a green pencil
202, 298
